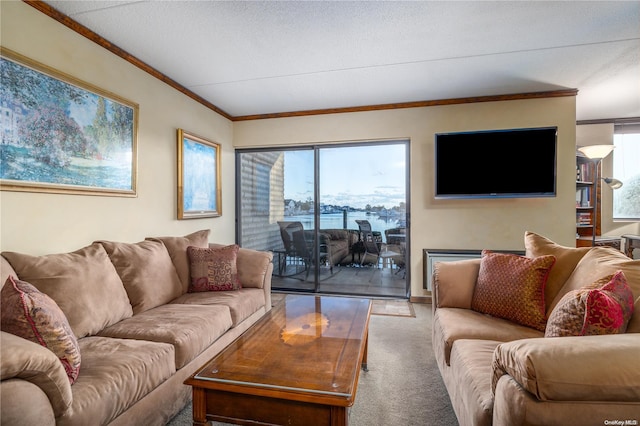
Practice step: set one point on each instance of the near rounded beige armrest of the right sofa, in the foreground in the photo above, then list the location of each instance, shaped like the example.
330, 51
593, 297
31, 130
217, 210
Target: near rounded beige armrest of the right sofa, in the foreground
583, 368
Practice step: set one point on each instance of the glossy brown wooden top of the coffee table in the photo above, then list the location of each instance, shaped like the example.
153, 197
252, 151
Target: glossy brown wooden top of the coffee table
304, 345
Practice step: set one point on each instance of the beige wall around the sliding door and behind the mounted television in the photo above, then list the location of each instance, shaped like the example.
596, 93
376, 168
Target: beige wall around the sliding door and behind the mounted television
449, 224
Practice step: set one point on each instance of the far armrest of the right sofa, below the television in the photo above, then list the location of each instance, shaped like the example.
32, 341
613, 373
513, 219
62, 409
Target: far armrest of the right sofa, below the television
454, 282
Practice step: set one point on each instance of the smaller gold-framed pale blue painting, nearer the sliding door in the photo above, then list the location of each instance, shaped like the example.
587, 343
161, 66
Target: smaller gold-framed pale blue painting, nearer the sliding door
199, 190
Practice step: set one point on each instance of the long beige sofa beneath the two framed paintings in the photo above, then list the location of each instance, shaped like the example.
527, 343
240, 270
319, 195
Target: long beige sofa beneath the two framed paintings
139, 331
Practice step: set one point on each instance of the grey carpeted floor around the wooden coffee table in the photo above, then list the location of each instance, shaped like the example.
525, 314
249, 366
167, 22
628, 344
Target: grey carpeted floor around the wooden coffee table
403, 385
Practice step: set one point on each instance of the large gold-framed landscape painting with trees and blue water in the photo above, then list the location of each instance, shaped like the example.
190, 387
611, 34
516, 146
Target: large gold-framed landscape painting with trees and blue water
61, 135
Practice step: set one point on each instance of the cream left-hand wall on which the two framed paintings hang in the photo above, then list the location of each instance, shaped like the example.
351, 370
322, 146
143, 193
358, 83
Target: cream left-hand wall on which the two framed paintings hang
47, 223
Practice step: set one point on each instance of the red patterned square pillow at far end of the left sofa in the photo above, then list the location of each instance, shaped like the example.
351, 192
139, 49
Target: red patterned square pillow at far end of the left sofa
213, 269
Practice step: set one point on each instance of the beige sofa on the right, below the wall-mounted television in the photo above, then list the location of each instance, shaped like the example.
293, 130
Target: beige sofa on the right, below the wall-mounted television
502, 373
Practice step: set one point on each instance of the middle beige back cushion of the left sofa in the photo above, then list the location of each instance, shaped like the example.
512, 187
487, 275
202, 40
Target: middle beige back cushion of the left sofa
146, 271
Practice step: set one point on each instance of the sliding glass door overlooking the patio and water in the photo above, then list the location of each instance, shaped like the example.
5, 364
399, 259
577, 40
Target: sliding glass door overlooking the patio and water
335, 216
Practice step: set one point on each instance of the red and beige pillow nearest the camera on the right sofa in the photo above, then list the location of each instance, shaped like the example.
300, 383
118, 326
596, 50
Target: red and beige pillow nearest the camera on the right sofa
603, 307
